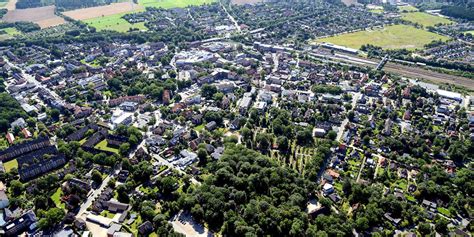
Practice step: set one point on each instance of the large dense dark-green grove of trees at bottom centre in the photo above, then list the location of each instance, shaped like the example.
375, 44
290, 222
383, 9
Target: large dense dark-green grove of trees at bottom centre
248, 194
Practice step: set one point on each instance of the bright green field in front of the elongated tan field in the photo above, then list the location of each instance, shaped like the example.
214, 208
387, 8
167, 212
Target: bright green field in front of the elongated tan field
114, 22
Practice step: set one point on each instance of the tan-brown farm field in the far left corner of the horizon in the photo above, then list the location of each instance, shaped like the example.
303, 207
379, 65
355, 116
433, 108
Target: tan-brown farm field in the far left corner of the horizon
43, 16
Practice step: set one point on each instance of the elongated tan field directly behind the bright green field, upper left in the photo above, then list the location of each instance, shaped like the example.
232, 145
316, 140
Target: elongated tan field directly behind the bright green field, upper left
102, 11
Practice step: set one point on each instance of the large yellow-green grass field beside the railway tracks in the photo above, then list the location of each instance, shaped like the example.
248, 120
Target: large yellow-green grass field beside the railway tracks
390, 37
